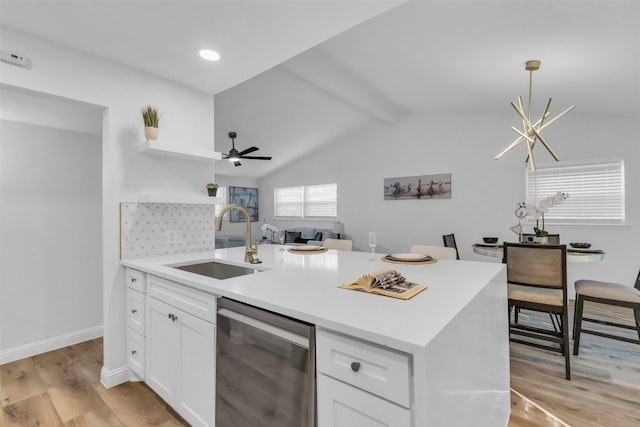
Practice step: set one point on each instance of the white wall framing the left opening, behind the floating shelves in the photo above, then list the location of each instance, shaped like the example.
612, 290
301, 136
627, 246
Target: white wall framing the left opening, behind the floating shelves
187, 120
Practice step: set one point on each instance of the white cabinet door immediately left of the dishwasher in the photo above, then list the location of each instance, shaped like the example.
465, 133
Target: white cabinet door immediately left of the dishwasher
197, 371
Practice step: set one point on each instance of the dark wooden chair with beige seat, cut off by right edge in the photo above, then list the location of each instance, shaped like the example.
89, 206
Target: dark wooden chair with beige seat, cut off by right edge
605, 293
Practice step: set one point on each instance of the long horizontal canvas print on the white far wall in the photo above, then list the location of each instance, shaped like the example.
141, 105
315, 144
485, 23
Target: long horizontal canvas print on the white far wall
418, 187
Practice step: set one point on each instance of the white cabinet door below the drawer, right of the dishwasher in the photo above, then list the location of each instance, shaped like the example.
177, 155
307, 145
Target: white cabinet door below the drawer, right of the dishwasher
341, 405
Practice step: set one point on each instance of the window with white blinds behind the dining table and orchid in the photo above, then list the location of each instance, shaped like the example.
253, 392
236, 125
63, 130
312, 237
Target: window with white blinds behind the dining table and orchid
596, 191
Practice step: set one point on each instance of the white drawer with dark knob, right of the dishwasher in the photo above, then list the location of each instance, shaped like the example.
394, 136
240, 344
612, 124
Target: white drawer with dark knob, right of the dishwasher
373, 368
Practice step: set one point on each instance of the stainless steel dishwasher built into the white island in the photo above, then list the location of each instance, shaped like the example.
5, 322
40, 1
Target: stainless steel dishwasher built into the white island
265, 368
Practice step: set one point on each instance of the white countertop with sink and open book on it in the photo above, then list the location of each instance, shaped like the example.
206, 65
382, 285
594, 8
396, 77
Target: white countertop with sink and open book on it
305, 287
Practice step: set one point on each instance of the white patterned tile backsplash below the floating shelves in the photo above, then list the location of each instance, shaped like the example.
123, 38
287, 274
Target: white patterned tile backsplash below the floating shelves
154, 229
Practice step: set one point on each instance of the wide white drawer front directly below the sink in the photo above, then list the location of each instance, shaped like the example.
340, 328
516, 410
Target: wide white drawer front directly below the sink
193, 301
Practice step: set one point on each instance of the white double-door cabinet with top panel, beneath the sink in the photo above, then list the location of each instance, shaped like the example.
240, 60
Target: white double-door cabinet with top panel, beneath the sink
180, 349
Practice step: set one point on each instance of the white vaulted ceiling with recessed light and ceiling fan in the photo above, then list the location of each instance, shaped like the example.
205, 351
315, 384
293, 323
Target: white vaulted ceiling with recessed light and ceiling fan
297, 75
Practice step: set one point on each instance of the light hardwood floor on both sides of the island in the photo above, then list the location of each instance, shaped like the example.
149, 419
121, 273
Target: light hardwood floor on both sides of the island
62, 388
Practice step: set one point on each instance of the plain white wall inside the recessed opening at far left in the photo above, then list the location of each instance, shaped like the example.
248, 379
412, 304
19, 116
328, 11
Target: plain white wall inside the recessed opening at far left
50, 239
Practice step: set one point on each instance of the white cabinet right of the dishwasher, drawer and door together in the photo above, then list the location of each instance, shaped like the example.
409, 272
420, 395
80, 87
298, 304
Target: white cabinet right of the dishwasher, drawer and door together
361, 384
